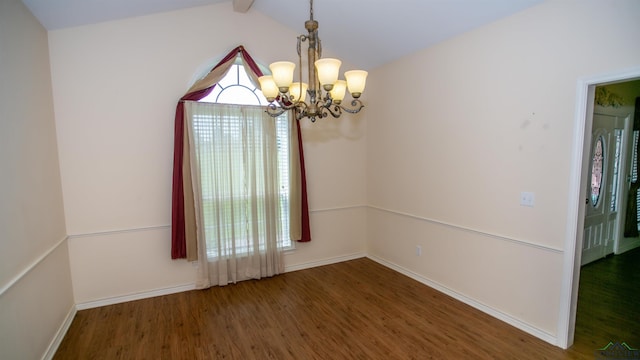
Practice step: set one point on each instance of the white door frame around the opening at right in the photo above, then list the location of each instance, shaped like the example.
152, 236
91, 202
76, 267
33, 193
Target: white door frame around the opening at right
585, 91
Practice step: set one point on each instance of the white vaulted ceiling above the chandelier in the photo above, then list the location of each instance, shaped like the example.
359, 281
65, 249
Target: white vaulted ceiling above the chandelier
366, 33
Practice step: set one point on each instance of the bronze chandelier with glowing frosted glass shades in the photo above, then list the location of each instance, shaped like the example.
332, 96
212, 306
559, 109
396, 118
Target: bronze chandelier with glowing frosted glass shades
324, 91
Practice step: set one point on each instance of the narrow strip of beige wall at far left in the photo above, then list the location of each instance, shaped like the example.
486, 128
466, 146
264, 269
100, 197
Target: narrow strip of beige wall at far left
35, 297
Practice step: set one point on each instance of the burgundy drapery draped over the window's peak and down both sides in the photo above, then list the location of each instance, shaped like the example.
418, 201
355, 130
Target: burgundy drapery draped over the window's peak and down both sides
179, 226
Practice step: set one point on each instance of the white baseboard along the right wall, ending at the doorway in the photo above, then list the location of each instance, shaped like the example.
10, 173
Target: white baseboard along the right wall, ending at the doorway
541, 334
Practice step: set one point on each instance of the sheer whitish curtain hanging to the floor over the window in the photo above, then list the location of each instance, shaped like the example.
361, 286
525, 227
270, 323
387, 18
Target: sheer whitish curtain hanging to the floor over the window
235, 175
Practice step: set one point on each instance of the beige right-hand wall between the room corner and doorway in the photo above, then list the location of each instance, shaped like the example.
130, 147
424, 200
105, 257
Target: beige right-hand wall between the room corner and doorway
475, 121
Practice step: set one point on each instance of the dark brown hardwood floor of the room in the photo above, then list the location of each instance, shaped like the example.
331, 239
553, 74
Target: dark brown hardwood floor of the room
351, 310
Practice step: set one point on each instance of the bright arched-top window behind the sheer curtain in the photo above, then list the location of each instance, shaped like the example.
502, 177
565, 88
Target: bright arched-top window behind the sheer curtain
227, 135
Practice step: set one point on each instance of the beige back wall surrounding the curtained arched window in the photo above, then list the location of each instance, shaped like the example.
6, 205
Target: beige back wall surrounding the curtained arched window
116, 85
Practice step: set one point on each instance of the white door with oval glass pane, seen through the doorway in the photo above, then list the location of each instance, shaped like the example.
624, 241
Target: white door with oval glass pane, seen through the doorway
602, 195
